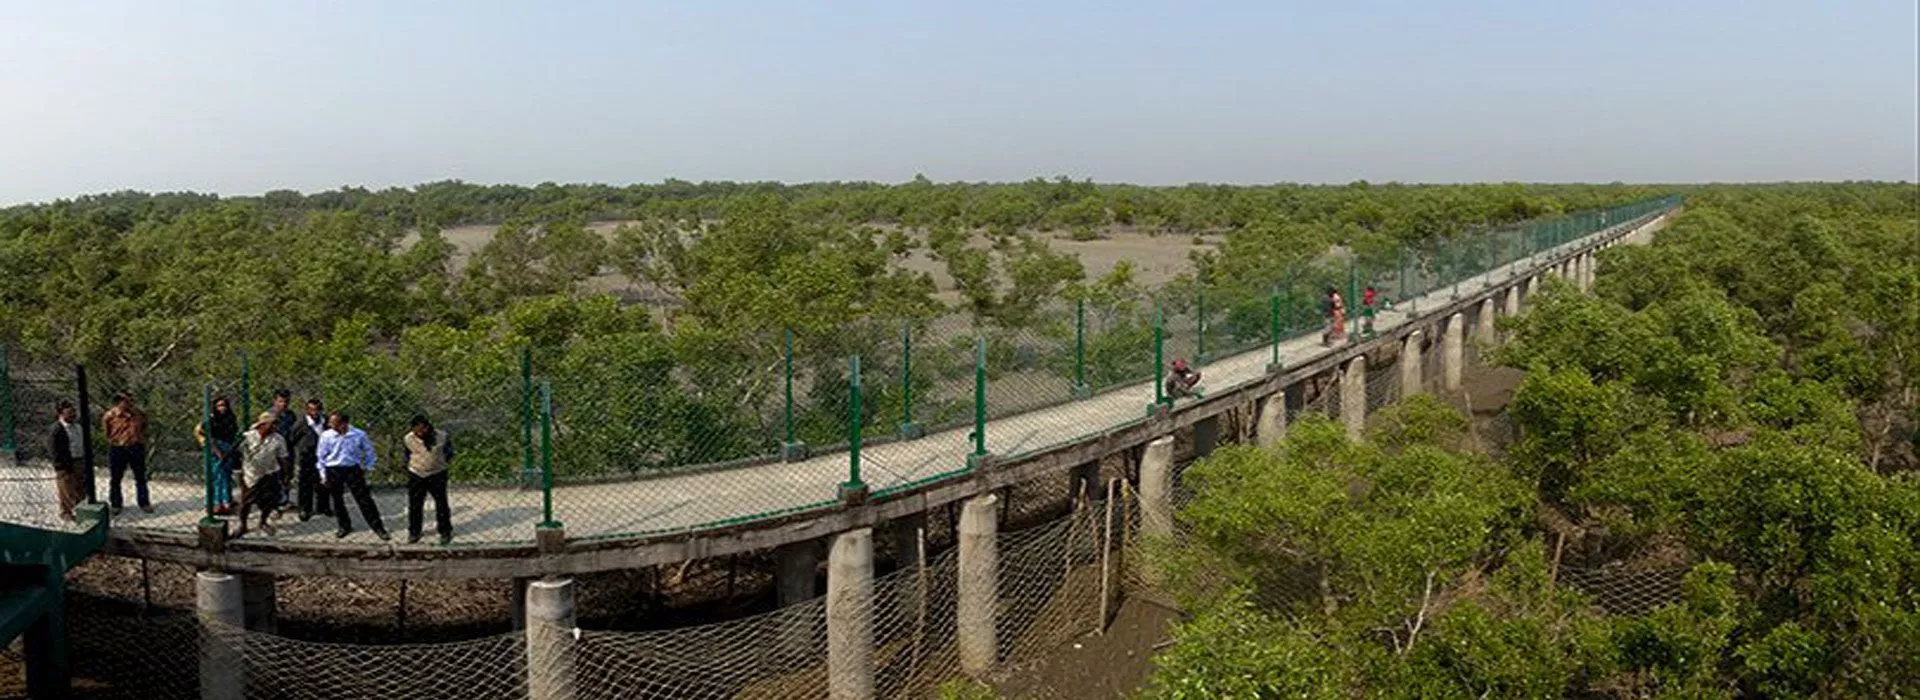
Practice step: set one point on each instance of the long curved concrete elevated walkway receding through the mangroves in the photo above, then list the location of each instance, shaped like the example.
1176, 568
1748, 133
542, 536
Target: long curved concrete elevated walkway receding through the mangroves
717, 513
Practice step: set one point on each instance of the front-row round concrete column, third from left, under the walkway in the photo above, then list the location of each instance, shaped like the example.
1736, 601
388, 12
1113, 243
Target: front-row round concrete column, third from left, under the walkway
852, 617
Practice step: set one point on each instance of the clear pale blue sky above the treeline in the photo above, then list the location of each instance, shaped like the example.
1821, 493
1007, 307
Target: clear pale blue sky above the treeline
249, 97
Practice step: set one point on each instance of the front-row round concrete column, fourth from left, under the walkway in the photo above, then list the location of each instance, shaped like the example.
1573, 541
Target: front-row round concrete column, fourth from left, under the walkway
980, 584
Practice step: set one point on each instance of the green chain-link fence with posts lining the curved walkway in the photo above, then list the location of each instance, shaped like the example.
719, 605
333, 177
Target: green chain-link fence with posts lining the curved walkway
646, 434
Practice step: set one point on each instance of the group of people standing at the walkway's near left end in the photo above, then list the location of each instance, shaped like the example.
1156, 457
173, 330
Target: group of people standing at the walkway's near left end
258, 469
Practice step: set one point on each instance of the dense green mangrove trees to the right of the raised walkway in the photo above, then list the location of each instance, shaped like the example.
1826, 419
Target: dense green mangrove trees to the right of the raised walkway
1737, 396
